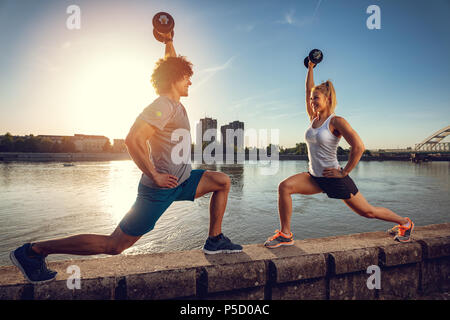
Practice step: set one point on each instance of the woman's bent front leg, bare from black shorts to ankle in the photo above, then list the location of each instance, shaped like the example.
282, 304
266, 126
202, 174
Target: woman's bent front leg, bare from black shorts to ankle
301, 183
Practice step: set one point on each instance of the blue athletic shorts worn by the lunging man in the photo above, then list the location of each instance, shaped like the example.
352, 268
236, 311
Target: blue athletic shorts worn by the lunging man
151, 203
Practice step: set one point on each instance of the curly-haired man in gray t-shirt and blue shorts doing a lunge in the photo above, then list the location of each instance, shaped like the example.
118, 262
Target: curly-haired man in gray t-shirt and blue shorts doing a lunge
165, 179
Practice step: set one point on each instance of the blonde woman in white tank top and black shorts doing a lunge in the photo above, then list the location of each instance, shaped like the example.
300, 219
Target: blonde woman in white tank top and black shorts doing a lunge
325, 174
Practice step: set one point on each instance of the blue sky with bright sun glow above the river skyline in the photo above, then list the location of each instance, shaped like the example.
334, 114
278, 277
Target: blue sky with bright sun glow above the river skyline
392, 84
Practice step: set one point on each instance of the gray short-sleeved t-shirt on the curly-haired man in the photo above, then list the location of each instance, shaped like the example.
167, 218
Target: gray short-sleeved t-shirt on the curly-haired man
172, 130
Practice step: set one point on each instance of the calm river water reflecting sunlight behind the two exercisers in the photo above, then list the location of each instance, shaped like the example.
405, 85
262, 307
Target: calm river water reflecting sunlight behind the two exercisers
40, 201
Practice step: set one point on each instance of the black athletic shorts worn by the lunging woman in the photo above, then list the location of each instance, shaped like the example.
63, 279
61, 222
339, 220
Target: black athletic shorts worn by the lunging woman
337, 188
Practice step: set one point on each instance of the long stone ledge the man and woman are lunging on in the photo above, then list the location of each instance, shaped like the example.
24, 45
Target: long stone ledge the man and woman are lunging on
324, 268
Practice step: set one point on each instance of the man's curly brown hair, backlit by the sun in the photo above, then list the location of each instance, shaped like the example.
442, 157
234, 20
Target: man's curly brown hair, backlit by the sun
170, 70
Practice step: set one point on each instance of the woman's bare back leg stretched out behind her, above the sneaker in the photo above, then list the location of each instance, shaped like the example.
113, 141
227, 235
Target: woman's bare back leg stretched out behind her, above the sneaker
360, 205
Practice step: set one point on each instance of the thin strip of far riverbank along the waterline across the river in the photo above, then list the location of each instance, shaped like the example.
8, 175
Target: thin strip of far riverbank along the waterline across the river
72, 157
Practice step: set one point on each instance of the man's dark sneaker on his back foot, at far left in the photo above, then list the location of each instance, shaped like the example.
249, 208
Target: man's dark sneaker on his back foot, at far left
32, 266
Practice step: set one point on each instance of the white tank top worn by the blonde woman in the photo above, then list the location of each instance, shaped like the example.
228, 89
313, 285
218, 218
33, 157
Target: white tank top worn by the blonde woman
322, 148
